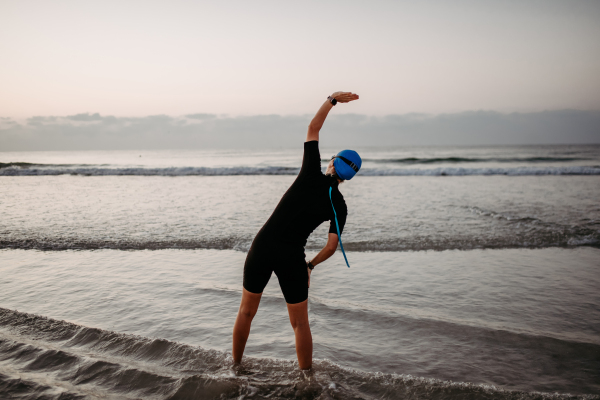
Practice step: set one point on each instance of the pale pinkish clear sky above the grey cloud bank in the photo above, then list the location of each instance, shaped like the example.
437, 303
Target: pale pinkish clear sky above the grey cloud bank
240, 59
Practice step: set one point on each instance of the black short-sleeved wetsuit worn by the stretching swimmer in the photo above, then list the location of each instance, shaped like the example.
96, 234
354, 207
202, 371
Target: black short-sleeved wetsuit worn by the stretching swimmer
279, 245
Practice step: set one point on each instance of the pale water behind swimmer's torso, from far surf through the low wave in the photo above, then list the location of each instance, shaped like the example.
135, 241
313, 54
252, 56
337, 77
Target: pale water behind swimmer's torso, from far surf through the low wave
225, 212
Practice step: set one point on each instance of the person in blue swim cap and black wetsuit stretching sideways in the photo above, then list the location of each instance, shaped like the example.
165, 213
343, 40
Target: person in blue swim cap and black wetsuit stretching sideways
279, 246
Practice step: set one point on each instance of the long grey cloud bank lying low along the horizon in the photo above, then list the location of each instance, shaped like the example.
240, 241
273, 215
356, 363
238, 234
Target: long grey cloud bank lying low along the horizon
97, 132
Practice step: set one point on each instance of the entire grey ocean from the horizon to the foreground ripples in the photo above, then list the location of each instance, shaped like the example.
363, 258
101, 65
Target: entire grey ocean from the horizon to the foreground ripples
474, 274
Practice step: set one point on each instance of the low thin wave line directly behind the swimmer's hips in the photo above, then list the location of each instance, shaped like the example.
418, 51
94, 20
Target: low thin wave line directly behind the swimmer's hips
534, 235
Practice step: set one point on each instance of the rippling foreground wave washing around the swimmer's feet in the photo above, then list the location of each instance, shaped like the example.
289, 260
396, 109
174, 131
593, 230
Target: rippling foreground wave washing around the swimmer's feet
43, 358
